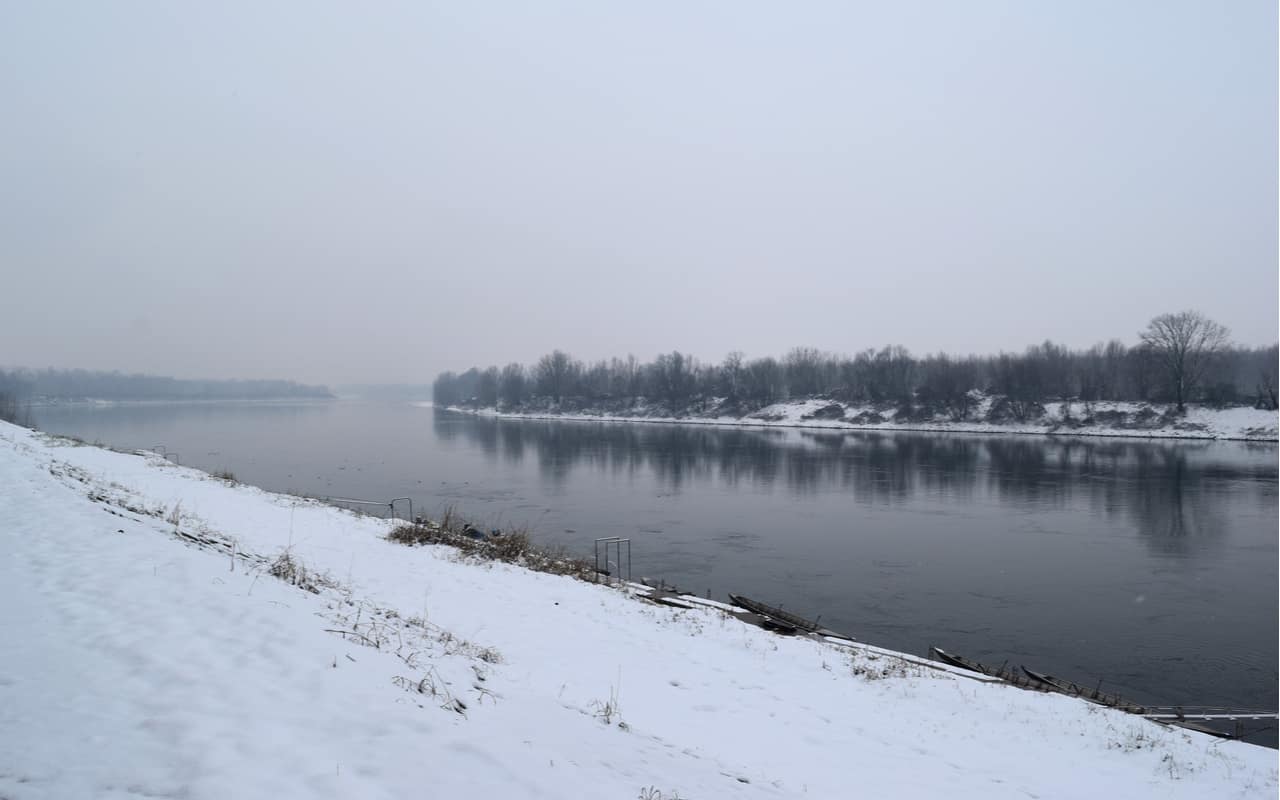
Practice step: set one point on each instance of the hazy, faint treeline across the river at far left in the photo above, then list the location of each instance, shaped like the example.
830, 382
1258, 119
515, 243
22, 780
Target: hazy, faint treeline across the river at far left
26, 386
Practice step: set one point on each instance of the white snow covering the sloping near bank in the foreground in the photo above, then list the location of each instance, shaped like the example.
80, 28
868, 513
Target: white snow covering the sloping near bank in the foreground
140, 662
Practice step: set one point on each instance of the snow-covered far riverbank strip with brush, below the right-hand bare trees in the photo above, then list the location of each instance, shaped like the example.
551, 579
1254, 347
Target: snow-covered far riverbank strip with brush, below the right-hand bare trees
1104, 419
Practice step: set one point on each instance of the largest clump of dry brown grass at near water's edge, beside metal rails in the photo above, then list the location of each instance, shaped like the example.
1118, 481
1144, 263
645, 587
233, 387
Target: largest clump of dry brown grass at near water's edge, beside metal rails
514, 547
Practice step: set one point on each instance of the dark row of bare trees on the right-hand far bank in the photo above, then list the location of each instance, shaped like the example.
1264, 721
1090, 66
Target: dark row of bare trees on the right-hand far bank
1182, 358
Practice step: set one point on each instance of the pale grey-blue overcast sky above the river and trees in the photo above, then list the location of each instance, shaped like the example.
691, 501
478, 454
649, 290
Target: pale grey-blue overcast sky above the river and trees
374, 193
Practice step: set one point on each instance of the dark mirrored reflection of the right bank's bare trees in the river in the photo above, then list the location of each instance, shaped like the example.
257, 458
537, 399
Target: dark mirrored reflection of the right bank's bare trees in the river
1172, 492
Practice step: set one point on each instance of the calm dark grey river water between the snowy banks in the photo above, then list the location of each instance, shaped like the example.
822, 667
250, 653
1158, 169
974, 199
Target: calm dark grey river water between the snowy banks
1151, 566
